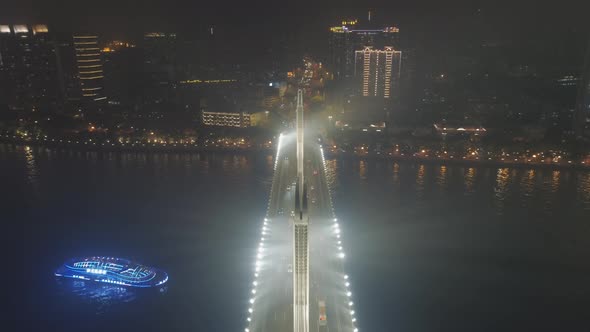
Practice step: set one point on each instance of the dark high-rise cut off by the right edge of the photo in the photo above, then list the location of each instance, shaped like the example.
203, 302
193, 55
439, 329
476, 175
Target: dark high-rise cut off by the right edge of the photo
582, 113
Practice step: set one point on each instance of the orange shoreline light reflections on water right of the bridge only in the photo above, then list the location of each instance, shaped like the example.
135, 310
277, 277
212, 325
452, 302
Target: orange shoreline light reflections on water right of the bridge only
502, 188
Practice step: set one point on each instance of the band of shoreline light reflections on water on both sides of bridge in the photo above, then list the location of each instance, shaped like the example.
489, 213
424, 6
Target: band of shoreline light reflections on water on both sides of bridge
525, 187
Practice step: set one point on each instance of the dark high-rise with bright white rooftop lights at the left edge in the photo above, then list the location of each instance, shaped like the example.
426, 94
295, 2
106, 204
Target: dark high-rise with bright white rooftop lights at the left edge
28, 67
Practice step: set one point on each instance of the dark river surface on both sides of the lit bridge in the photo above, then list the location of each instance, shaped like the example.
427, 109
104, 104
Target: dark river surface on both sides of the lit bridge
429, 247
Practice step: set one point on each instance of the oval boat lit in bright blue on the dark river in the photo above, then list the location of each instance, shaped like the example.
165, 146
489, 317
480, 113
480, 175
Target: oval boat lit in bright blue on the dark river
112, 270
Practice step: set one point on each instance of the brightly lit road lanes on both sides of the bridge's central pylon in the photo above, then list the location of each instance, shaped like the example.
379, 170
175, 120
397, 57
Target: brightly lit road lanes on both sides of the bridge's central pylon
273, 306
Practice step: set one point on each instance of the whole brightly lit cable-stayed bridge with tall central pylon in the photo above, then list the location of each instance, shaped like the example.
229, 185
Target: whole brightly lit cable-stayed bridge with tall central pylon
299, 282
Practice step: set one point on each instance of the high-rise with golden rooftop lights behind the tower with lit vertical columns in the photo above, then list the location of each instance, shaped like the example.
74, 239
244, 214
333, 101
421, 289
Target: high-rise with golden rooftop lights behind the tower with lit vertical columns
349, 37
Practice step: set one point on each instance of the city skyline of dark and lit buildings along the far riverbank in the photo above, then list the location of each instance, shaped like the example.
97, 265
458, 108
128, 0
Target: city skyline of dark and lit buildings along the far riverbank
202, 81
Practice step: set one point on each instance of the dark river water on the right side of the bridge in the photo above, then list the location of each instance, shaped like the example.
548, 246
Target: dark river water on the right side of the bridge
497, 230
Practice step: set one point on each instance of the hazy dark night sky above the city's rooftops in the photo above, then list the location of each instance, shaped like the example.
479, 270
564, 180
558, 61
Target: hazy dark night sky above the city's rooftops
534, 29
